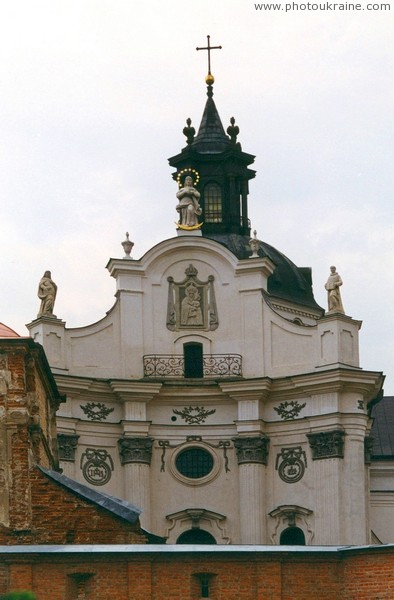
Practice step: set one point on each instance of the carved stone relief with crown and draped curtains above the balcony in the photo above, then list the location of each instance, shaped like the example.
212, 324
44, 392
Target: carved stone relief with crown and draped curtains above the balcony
191, 303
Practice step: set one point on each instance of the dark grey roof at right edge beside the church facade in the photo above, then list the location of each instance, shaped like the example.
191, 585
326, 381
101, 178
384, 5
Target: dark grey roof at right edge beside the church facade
383, 429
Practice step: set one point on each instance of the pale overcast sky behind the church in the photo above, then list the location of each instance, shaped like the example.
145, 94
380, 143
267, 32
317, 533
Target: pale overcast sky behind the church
94, 97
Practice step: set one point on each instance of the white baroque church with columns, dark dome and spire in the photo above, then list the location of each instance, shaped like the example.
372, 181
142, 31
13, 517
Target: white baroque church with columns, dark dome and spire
216, 395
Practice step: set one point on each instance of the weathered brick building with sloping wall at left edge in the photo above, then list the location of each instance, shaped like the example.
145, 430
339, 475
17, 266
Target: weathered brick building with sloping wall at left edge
33, 508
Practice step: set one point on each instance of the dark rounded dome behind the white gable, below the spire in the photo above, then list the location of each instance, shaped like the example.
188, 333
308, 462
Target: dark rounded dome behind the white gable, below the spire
288, 281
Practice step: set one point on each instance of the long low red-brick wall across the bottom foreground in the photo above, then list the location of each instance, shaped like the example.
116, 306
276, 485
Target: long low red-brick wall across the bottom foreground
168, 572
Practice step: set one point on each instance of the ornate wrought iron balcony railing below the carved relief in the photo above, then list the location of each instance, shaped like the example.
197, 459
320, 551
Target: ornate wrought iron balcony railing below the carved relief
173, 365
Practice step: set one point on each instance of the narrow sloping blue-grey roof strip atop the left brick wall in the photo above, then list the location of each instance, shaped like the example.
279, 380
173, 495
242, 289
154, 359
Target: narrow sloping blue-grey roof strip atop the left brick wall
118, 507
